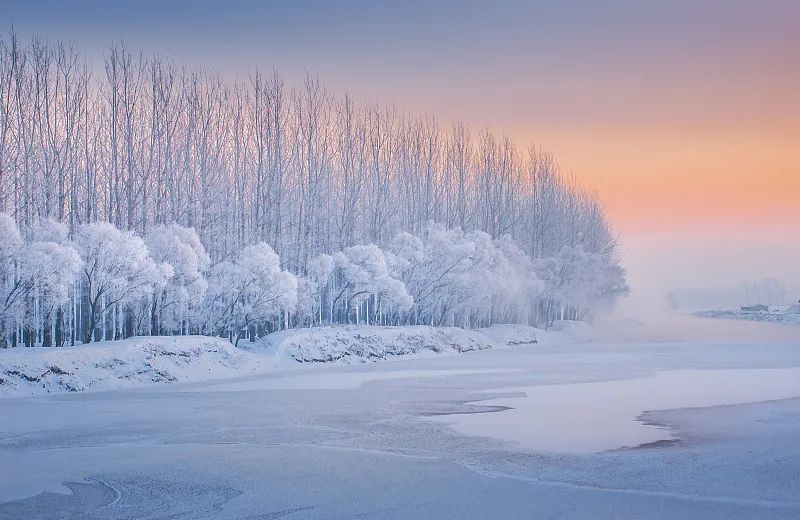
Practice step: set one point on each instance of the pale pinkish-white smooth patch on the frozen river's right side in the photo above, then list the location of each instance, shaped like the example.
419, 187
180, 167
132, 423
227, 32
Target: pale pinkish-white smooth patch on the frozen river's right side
595, 417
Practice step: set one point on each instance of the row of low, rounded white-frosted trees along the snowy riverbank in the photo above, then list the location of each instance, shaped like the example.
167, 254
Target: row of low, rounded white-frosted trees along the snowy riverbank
111, 284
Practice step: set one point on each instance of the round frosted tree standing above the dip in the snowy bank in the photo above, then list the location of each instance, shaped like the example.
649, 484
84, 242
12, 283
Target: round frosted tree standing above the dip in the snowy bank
248, 291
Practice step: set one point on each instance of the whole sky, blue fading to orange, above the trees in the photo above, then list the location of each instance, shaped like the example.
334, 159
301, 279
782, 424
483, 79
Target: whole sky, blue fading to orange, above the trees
684, 115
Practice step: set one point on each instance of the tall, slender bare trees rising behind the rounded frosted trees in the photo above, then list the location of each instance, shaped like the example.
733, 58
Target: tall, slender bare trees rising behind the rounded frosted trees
144, 141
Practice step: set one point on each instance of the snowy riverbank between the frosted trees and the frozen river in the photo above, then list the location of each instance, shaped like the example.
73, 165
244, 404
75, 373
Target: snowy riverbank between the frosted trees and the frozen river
147, 361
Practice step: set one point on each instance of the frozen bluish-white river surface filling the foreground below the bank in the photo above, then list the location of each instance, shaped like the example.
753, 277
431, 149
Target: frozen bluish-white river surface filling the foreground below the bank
382, 440
